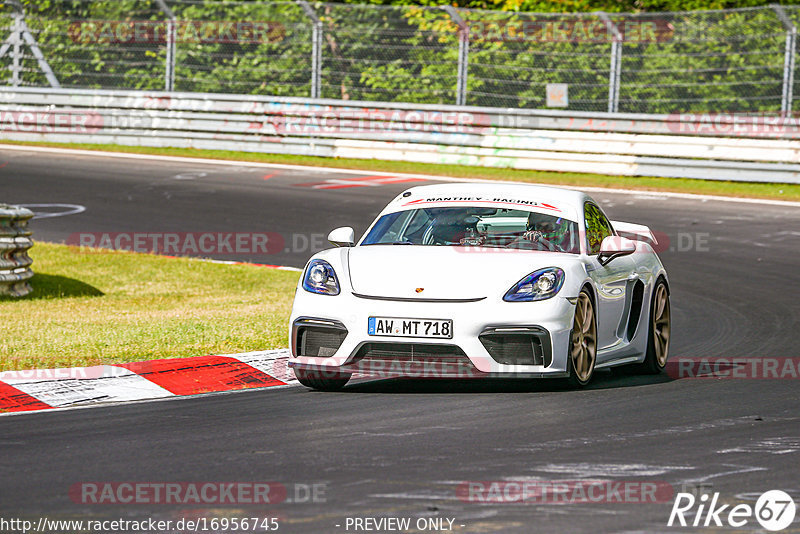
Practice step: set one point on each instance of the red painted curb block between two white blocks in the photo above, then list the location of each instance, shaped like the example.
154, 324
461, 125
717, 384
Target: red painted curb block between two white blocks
202, 374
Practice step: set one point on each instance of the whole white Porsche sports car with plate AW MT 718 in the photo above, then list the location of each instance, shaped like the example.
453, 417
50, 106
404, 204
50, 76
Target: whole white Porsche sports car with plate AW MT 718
482, 280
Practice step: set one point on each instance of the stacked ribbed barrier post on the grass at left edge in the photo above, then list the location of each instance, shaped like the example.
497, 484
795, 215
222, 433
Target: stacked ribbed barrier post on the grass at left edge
15, 240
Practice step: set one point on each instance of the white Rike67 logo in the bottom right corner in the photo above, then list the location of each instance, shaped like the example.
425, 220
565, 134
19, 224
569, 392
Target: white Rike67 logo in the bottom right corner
774, 510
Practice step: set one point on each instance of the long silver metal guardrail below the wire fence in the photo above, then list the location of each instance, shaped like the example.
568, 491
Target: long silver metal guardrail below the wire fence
683, 146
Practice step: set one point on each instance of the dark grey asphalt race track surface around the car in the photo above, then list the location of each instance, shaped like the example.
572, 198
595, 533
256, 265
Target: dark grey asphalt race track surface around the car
403, 448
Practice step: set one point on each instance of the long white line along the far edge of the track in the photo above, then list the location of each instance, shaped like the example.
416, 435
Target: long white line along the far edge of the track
333, 170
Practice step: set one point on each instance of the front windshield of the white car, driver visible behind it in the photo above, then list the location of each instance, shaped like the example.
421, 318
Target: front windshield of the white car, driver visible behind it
478, 227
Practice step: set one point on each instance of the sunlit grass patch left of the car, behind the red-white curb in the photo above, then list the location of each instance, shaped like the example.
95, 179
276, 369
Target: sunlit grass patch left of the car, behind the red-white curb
102, 307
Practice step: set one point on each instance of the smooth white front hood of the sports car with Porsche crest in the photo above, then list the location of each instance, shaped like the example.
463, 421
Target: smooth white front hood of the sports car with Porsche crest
446, 272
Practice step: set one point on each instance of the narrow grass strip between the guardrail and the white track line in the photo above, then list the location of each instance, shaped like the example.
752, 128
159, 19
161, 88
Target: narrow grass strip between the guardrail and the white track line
644, 183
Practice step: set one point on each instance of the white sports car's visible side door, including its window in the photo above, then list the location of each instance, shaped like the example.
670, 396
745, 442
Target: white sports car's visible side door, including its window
611, 280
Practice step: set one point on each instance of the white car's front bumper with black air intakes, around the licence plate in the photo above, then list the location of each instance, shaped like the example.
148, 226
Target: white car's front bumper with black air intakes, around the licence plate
341, 321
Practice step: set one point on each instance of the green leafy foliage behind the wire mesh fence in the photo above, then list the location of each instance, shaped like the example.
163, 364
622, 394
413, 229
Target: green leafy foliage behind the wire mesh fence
689, 61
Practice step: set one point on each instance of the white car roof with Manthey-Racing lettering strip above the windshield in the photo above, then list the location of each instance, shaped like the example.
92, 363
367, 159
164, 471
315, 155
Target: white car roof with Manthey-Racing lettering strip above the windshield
519, 196
